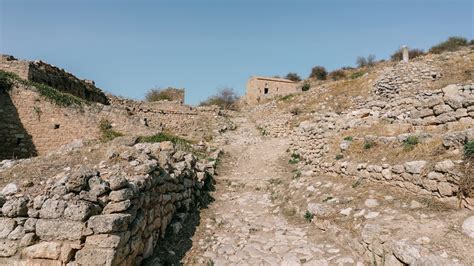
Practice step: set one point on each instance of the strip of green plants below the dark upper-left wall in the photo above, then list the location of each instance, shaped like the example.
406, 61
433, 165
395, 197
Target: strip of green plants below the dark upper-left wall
53, 95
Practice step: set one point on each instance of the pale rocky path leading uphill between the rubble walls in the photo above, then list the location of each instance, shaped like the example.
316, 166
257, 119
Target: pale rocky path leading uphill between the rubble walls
242, 226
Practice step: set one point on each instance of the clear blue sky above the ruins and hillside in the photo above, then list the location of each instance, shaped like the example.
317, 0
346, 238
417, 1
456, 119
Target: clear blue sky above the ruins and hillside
128, 47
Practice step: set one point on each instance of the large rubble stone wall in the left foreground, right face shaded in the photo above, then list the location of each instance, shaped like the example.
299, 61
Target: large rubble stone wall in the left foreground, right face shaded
114, 214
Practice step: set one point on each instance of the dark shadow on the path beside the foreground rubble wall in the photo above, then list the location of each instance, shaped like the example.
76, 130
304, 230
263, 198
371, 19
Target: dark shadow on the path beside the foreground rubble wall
173, 247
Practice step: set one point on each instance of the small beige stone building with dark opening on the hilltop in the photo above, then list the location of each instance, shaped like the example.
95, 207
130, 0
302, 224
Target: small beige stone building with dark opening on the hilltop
259, 88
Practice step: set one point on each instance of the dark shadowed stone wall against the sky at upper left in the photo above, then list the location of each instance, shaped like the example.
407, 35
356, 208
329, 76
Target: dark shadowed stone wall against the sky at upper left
55, 77
